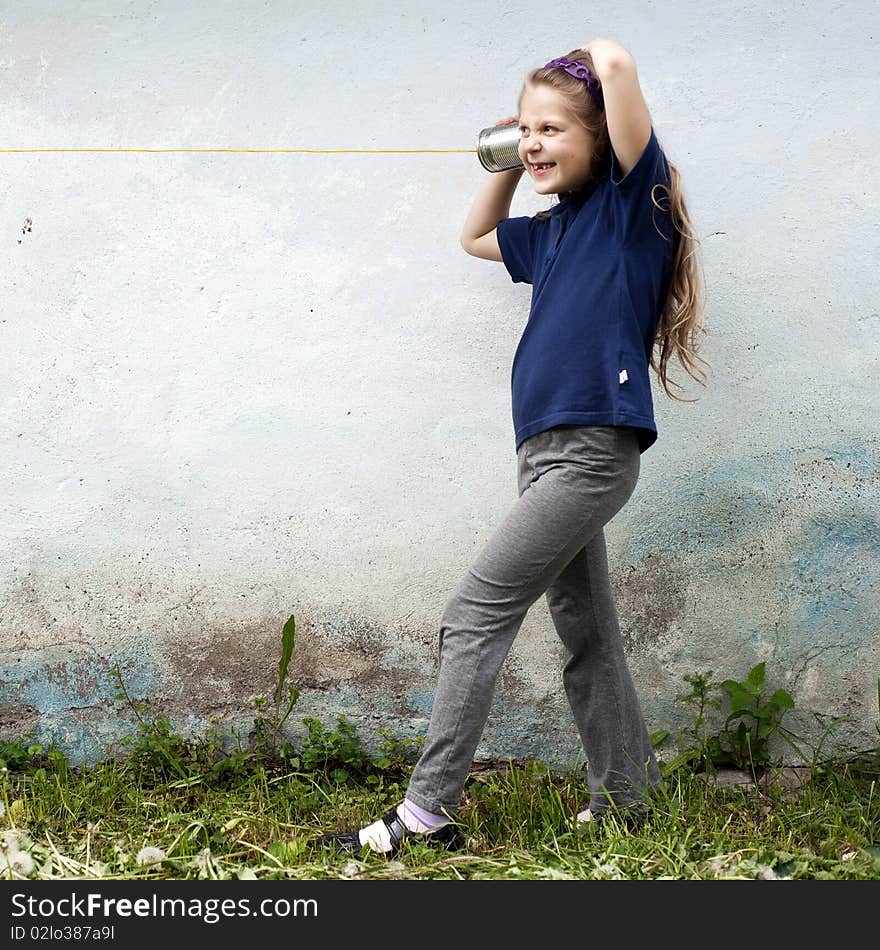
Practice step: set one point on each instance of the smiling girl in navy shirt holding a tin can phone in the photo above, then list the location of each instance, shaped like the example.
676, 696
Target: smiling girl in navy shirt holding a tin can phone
614, 277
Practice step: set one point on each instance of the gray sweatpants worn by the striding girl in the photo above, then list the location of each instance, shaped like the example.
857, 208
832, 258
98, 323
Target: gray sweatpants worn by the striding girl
572, 480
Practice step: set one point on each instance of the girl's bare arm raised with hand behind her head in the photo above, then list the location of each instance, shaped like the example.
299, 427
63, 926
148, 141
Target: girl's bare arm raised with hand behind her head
626, 112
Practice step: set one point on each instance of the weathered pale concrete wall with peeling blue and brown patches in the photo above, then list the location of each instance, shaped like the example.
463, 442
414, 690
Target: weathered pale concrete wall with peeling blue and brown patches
243, 386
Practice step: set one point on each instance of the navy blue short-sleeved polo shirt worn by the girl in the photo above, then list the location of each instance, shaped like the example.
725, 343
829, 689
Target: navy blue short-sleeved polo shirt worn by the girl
599, 272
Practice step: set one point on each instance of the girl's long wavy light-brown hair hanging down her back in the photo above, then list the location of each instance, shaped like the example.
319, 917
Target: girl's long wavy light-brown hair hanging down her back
680, 325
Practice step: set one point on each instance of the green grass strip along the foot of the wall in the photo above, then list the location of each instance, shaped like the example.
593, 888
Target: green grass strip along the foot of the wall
255, 814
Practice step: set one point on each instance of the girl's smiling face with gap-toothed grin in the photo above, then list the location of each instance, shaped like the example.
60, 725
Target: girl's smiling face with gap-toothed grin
551, 135
